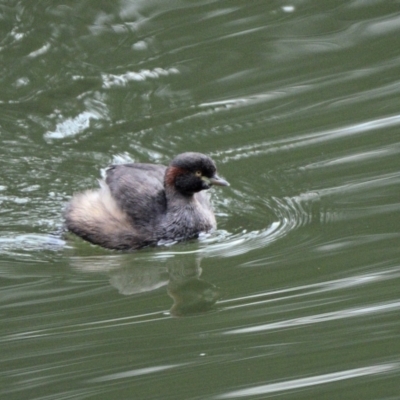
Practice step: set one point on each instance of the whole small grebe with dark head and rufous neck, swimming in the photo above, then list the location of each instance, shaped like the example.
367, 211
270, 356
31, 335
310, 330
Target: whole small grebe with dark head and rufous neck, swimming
142, 204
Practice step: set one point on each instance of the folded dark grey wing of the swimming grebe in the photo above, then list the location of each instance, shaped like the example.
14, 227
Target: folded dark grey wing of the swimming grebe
138, 189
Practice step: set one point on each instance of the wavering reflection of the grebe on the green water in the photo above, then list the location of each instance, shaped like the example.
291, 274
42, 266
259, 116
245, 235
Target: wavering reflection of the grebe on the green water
179, 273
